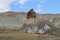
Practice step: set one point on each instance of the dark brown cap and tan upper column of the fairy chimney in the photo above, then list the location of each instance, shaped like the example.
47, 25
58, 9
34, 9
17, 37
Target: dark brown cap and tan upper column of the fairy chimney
31, 16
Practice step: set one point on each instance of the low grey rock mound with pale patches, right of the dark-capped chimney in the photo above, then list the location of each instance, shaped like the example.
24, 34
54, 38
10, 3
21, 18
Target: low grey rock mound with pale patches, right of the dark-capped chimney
45, 26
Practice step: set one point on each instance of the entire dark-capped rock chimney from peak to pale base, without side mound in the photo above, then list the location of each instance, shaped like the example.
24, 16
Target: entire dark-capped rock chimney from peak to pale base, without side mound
31, 22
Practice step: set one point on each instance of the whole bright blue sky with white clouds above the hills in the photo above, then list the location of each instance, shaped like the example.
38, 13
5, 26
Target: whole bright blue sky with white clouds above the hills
40, 6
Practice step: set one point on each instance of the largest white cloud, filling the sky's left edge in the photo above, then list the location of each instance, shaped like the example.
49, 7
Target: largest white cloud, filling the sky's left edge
4, 5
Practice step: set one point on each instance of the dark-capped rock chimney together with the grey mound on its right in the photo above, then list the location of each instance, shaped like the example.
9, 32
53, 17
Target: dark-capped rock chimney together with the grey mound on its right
43, 26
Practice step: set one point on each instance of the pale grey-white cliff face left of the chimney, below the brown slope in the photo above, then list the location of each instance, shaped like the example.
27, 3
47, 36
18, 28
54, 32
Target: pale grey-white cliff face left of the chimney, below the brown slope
11, 22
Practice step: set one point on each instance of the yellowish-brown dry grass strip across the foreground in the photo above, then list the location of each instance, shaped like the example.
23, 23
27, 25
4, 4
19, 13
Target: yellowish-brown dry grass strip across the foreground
25, 36
